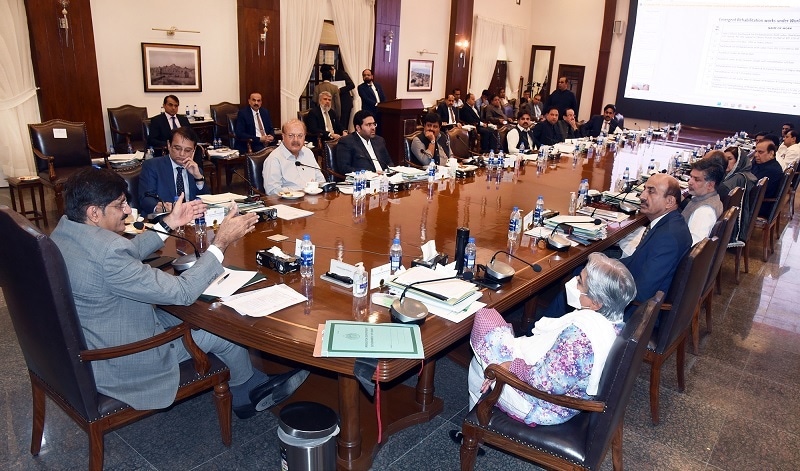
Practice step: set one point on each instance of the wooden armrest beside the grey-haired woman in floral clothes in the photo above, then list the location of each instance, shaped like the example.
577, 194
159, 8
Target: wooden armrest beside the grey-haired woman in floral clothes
504, 377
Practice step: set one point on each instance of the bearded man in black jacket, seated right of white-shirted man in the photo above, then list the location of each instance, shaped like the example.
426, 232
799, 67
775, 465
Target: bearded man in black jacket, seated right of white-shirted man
362, 150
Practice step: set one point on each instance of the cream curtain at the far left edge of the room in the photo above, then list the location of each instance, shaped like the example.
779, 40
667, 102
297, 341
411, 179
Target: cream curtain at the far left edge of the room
18, 102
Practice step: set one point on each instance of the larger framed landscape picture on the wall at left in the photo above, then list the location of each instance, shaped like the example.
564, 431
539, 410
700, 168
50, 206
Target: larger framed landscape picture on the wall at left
171, 68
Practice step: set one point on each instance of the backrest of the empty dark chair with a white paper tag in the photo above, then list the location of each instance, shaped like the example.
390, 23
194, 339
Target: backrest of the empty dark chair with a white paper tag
70, 152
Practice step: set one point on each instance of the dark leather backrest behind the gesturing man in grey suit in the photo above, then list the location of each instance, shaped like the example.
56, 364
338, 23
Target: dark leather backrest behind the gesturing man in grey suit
38, 293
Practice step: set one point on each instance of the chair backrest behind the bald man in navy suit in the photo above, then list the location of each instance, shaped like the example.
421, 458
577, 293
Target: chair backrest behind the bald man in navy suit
685, 292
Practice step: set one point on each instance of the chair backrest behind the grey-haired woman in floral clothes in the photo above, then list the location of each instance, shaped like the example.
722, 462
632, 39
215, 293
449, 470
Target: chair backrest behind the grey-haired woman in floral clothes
619, 376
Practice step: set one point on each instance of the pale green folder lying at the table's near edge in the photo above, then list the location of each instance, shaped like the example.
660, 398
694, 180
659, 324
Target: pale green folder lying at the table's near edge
365, 340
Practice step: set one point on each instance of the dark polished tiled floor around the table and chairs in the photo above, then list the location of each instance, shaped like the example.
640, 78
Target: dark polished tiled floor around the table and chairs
739, 410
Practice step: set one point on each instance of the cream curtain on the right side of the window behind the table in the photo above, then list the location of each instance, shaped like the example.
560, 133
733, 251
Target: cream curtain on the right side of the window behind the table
354, 21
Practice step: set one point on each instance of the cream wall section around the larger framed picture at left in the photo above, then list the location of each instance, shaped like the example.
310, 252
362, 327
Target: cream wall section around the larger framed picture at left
120, 26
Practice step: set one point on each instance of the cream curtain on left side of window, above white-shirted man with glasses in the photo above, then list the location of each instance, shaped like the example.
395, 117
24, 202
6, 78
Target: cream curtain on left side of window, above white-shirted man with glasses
301, 28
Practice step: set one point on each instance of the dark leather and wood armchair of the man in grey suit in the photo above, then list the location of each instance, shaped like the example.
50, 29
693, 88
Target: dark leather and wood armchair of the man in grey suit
40, 303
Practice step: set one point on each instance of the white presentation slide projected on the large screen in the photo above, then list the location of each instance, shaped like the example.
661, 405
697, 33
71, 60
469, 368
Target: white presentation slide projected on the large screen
731, 54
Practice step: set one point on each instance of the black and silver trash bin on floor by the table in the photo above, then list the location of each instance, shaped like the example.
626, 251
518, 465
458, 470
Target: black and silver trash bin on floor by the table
307, 431
